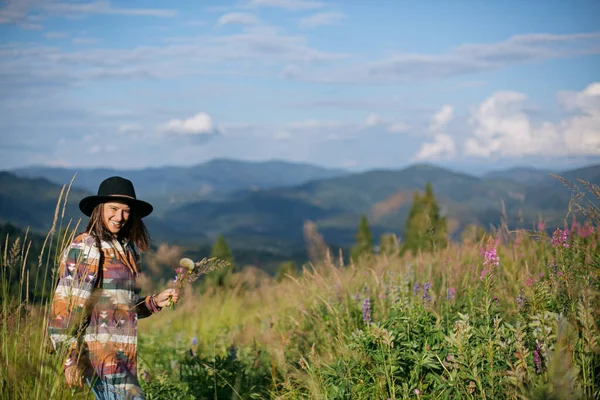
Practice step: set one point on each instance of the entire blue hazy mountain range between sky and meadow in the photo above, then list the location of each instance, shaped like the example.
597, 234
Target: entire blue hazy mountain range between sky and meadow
263, 206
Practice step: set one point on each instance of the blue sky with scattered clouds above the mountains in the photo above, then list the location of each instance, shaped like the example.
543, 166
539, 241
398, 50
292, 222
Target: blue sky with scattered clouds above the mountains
351, 84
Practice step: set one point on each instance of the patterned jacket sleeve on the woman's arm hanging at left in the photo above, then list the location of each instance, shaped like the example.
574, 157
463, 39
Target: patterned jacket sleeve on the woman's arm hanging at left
69, 312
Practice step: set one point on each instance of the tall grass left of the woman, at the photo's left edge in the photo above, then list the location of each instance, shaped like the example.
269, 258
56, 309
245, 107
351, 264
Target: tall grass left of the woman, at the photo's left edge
29, 366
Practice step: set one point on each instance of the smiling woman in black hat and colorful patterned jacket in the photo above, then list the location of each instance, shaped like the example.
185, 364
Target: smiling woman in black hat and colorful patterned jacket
96, 303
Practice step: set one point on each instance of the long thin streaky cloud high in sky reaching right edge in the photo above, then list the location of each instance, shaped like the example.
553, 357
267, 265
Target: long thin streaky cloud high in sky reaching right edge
464, 60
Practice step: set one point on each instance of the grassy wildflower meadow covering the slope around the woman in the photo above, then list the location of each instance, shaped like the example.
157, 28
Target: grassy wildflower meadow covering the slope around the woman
497, 315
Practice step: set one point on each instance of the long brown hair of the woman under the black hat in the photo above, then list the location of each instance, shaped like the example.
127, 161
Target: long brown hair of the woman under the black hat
134, 229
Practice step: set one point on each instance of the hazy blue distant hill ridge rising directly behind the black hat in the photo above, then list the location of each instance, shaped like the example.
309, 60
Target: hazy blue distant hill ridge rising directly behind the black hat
177, 185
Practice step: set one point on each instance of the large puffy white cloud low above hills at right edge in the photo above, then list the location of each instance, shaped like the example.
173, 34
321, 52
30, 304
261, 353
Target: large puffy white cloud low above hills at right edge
503, 128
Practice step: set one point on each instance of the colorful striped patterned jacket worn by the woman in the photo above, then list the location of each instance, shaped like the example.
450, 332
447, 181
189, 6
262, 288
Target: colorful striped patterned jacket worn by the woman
95, 310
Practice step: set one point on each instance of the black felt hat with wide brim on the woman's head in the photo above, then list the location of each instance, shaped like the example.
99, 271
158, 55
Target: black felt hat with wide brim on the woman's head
115, 188
